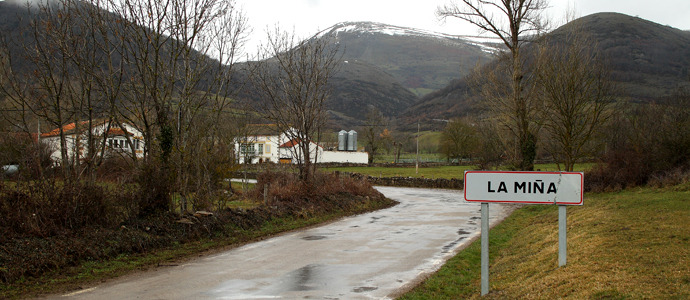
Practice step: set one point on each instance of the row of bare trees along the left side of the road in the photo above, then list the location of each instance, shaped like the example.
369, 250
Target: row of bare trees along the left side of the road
170, 69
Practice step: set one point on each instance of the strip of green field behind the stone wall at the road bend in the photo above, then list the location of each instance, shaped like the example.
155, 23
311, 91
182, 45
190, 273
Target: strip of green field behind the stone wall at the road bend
446, 172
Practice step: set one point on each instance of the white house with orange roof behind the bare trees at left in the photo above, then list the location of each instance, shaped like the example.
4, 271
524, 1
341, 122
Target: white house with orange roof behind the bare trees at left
76, 138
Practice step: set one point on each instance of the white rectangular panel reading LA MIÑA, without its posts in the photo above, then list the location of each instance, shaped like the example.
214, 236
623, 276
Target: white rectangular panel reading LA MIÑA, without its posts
561, 188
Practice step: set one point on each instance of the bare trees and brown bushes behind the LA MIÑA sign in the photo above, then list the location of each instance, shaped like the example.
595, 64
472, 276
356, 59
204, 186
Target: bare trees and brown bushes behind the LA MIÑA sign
552, 95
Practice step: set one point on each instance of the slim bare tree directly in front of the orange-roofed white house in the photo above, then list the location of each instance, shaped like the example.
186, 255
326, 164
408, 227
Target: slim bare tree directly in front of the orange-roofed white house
97, 76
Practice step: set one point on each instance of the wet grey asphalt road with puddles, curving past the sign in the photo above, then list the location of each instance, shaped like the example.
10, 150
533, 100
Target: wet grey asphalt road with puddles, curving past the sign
370, 256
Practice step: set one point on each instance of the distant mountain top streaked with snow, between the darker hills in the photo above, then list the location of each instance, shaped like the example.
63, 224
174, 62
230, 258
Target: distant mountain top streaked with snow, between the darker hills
422, 61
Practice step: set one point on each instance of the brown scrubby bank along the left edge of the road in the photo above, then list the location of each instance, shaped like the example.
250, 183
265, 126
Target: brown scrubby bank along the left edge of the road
52, 225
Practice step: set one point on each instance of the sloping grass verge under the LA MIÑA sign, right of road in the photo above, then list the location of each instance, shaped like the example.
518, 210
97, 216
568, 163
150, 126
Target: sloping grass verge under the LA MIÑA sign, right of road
633, 244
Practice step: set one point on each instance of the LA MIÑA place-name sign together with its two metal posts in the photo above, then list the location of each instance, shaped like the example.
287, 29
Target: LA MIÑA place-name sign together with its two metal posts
556, 188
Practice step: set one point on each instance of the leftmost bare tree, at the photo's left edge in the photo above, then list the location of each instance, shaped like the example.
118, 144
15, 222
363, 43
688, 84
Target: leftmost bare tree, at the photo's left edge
48, 91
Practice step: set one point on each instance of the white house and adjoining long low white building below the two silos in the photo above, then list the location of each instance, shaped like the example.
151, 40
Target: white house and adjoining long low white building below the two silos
264, 143
